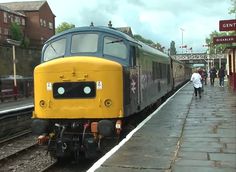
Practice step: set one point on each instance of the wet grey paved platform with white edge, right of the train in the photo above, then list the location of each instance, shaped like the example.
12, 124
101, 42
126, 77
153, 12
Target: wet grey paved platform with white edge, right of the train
185, 134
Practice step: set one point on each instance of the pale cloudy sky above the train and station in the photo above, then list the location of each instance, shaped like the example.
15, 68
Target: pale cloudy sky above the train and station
158, 20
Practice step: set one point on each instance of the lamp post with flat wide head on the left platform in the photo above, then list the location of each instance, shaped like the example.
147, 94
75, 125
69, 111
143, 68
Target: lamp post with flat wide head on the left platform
14, 43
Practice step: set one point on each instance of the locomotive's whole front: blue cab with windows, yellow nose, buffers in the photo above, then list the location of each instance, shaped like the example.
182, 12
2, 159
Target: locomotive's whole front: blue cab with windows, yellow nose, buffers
78, 88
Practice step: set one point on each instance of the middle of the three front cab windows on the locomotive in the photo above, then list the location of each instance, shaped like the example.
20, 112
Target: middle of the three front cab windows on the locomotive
82, 43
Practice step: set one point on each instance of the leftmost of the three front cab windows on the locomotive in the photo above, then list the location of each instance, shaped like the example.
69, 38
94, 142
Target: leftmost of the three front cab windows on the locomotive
55, 49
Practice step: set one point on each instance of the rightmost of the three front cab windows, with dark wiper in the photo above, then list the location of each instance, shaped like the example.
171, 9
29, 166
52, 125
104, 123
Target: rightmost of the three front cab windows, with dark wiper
115, 47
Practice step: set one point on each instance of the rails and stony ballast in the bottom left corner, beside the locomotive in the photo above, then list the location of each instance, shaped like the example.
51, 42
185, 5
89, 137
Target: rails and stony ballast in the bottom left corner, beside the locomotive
23, 154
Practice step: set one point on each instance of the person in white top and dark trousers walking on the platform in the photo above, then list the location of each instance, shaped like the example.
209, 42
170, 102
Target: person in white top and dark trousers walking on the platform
197, 84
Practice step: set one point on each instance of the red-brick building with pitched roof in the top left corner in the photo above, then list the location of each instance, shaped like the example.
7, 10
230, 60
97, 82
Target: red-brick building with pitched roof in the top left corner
35, 18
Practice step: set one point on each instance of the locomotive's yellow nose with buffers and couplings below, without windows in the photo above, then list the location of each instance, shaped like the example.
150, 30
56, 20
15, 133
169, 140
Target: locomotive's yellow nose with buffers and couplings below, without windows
78, 103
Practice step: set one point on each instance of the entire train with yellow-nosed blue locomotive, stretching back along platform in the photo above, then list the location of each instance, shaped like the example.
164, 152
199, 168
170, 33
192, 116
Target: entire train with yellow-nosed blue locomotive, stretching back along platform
90, 80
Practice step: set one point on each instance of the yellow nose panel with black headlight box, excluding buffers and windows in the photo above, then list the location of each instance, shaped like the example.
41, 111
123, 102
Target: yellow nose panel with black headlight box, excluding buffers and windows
78, 88
